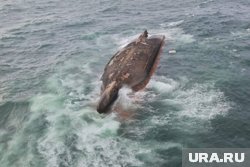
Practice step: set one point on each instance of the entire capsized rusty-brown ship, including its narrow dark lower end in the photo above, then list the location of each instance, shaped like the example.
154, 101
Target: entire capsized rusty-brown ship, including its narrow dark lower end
132, 66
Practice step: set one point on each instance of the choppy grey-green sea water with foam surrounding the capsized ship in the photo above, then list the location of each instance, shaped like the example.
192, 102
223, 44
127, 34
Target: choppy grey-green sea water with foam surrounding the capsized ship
52, 54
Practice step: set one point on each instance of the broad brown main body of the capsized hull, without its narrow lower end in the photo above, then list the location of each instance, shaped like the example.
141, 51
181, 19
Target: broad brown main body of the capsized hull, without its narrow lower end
134, 65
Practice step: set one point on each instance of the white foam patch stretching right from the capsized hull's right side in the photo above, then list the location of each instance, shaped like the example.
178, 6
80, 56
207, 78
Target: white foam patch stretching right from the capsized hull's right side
201, 101
